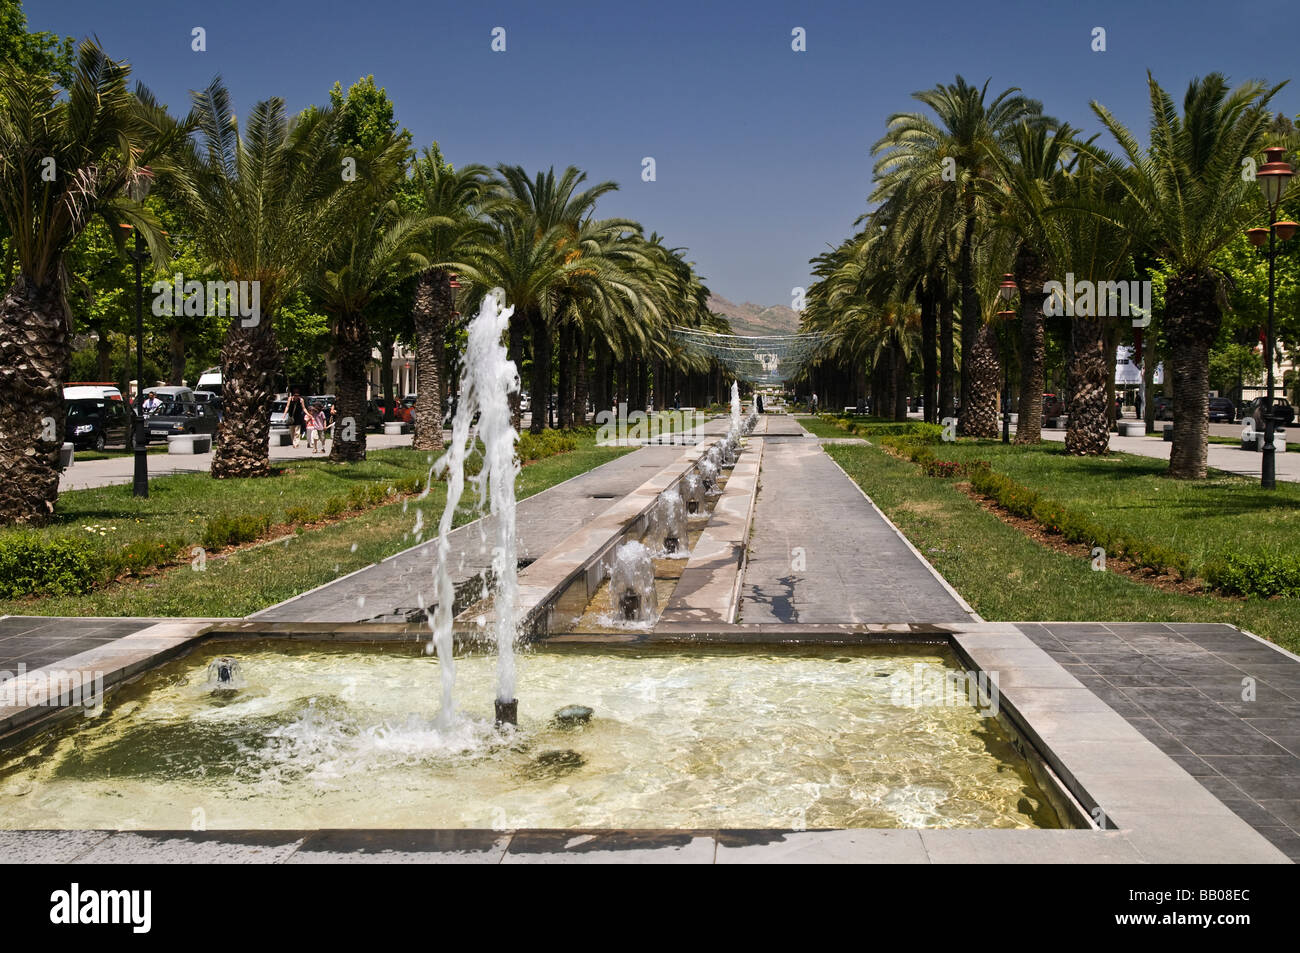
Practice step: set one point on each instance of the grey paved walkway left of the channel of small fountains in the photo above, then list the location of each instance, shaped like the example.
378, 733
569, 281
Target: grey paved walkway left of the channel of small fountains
392, 590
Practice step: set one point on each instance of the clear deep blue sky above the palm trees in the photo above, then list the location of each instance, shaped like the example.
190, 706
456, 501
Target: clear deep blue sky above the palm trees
762, 154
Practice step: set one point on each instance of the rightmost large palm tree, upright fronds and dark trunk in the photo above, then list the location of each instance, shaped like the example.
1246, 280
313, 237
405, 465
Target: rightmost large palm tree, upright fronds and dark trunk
1193, 200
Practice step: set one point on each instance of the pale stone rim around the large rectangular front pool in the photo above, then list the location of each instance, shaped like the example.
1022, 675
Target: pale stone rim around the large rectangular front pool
1146, 808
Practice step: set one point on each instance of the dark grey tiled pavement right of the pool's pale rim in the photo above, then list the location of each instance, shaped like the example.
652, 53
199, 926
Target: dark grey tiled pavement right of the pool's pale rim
1189, 690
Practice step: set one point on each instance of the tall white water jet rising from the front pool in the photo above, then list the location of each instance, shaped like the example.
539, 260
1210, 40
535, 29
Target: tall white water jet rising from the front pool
487, 380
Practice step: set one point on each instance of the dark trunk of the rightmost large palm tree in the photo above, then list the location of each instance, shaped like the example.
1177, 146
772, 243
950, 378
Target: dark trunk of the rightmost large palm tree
1193, 322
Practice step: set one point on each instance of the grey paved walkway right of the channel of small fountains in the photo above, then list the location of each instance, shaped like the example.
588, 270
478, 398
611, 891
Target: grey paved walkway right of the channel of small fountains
822, 553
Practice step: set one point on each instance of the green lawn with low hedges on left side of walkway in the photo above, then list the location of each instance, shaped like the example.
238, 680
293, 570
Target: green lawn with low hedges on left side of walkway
255, 578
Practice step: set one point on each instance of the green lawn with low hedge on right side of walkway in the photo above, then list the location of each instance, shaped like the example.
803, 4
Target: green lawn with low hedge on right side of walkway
1008, 577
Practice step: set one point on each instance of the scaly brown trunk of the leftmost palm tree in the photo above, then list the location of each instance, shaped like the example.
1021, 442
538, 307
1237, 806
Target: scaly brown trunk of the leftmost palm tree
34, 356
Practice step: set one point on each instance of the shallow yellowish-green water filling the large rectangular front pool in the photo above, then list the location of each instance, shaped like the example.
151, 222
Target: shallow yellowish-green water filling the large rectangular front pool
340, 737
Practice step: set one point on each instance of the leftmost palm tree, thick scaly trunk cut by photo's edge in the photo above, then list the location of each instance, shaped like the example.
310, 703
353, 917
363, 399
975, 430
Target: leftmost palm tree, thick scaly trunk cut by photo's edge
66, 158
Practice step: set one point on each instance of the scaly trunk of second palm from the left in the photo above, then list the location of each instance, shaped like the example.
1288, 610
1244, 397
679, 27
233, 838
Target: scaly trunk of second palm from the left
250, 362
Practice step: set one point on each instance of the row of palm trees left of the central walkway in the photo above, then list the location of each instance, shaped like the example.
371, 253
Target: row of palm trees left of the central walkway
267, 202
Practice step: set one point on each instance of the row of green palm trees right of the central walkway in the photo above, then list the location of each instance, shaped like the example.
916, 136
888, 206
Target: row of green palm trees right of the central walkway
982, 187
